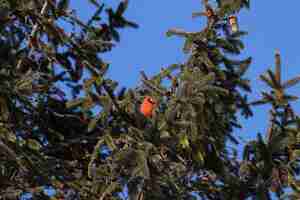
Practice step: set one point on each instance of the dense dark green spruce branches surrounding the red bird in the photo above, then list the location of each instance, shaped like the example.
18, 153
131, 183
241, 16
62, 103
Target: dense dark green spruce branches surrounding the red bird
66, 125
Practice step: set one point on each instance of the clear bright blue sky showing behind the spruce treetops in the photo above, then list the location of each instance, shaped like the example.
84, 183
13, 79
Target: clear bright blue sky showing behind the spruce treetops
271, 25
